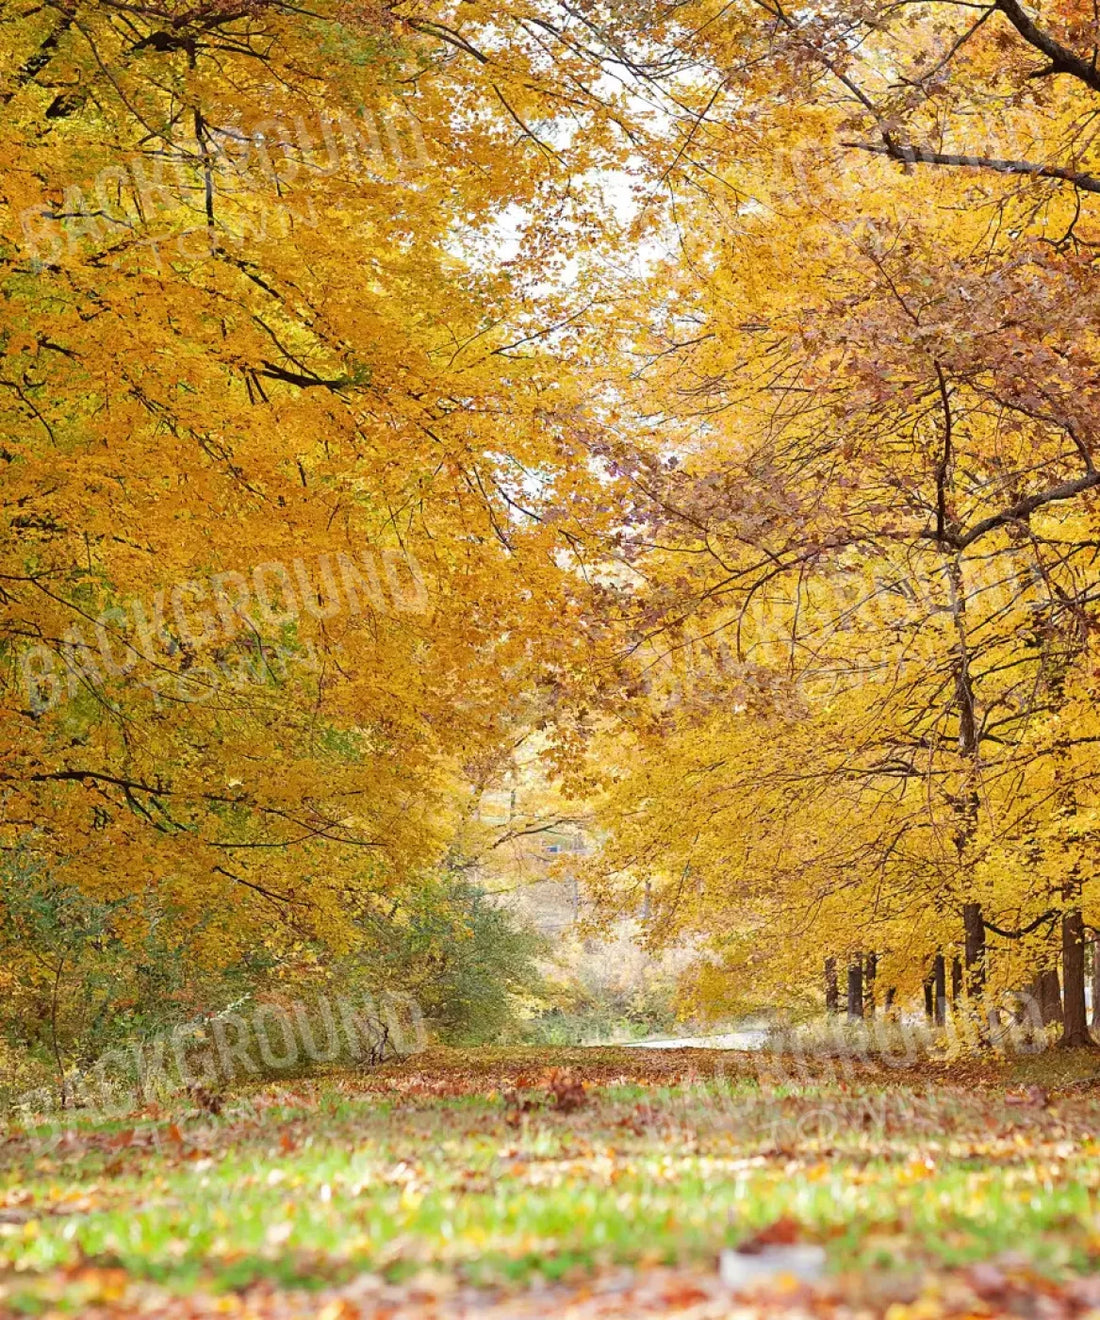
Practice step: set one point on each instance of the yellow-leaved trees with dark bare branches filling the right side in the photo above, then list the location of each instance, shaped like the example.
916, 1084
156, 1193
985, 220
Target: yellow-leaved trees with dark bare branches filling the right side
870, 391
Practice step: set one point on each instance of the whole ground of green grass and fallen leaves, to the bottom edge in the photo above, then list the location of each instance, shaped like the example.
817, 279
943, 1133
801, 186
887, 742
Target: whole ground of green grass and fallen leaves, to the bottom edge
575, 1183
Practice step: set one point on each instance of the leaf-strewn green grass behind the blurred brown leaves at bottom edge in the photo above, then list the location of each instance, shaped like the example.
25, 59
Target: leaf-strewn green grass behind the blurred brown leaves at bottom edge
434, 1165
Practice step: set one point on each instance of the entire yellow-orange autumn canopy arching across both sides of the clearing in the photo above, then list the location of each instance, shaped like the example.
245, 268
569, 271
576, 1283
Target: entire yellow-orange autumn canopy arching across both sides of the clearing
705, 397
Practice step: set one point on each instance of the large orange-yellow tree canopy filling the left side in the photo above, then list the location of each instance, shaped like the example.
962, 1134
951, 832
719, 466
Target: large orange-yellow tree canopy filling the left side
285, 497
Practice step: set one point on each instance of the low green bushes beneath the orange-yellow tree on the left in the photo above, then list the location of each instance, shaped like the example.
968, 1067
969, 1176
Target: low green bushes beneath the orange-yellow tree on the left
83, 977
